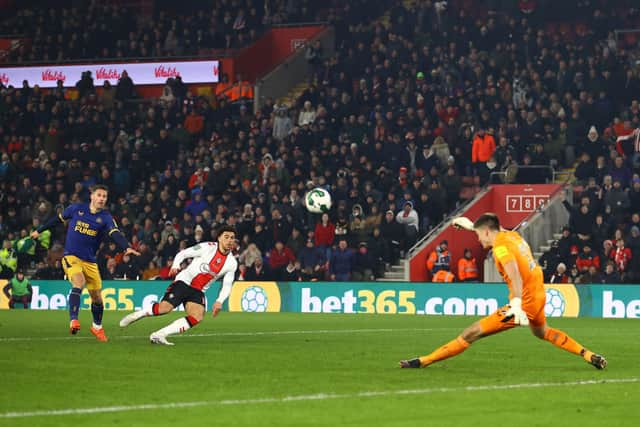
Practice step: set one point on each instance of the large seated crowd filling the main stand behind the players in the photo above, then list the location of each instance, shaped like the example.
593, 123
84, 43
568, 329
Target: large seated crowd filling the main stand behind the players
391, 124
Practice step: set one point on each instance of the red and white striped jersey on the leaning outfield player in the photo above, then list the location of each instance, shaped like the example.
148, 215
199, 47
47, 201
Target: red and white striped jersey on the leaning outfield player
208, 265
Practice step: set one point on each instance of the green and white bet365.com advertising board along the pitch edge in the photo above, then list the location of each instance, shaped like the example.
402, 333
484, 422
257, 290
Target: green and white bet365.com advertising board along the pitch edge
474, 299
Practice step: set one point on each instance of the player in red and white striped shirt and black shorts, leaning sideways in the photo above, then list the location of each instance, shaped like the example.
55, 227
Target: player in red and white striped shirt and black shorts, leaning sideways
210, 261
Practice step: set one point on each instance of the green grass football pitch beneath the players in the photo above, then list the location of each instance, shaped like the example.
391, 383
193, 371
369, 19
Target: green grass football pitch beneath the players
310, 369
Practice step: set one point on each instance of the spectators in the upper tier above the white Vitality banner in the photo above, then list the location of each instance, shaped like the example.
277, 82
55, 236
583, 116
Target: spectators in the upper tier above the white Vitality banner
98, 30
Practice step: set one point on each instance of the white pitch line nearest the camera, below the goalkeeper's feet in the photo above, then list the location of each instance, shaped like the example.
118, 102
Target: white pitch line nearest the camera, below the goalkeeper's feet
308, 397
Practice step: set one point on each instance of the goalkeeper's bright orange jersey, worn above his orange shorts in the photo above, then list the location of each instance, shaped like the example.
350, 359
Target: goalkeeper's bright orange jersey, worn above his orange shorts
509, 246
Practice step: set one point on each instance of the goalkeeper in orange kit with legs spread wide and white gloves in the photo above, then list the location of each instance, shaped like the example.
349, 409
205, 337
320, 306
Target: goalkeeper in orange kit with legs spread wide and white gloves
523, 275
